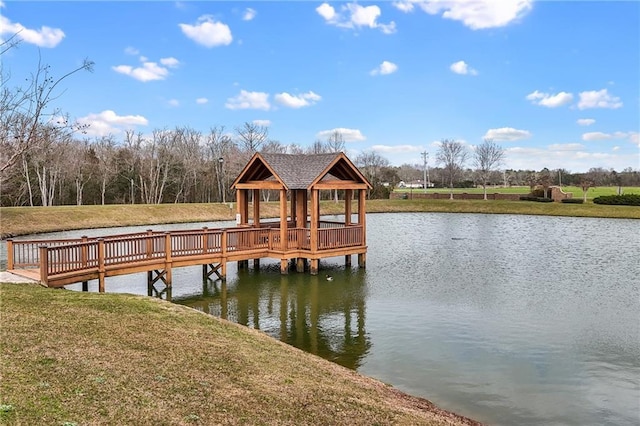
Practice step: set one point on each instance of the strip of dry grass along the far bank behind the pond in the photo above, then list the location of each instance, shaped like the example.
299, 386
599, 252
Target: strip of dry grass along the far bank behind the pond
30, 220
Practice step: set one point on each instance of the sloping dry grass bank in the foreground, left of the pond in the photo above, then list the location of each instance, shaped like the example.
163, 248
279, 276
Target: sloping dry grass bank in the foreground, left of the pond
72, 358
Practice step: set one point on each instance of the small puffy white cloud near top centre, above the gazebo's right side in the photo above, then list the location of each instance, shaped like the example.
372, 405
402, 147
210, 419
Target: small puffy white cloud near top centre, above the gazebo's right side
354, 16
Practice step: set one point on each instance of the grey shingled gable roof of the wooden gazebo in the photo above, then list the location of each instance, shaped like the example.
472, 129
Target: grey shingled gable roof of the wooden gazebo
300, 171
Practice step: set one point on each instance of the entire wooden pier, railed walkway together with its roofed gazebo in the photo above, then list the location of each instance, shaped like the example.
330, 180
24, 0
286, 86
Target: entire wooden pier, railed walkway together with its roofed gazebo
296, 236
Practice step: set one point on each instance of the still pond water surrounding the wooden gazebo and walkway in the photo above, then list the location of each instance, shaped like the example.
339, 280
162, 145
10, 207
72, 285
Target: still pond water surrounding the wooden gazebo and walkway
505, 319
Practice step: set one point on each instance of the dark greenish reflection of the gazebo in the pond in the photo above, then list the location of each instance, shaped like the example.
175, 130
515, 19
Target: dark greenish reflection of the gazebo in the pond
325, 318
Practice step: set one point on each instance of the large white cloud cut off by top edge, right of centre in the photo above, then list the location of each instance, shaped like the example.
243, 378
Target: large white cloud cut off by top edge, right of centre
475, 14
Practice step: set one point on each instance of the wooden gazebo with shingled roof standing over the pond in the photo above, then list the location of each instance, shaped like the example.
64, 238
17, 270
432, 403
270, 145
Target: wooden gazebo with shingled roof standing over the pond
300, 233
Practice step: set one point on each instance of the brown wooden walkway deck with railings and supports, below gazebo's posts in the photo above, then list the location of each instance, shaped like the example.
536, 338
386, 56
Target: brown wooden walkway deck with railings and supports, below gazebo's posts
56, 263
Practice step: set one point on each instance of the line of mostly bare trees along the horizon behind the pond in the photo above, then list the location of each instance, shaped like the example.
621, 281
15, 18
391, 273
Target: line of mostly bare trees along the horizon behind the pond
46, 159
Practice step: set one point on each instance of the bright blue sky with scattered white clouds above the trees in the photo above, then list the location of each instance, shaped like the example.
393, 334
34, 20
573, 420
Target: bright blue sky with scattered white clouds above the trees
555, 83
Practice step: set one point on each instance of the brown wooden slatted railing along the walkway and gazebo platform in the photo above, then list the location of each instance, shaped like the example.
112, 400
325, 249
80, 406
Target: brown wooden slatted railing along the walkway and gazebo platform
120, 253
